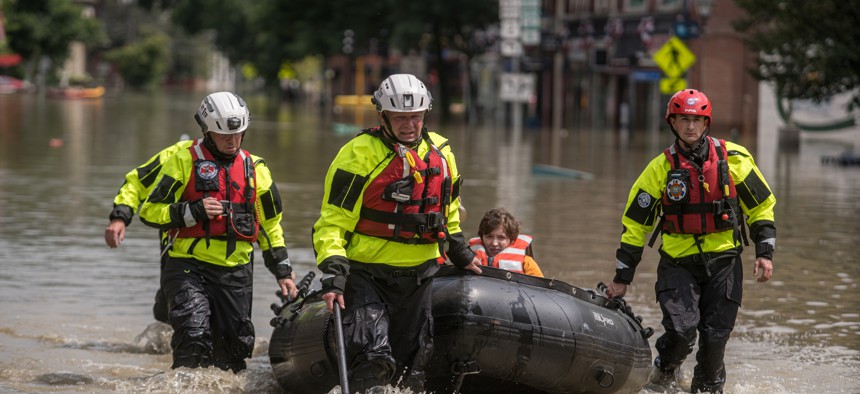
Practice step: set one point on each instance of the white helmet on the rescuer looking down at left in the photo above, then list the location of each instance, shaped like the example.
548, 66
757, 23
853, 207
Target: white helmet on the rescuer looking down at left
223, 113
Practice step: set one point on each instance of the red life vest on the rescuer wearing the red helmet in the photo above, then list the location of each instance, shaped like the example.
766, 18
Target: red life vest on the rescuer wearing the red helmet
699, 200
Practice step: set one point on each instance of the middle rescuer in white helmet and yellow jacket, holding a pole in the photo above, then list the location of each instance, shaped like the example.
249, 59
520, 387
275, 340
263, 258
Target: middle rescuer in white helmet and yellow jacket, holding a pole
390, 203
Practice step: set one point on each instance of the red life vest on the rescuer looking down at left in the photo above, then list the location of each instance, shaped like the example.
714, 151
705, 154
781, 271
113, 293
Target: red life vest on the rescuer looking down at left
211, 180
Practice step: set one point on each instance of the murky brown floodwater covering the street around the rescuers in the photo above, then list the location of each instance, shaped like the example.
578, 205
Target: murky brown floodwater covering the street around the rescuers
76, 315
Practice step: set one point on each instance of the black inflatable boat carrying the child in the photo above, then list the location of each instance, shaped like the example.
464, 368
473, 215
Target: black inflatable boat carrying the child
496, 332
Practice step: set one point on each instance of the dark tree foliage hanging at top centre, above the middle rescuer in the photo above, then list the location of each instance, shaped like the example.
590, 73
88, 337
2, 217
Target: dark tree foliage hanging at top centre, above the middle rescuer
266, 34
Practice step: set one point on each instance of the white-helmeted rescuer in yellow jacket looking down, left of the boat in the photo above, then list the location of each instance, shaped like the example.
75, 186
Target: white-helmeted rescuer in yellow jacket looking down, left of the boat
215, 200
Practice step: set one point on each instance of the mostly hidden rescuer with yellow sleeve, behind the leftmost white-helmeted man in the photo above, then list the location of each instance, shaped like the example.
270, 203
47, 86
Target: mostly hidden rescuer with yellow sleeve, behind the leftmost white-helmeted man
133, 192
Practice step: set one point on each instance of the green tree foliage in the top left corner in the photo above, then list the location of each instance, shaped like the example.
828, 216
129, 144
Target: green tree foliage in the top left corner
45, 28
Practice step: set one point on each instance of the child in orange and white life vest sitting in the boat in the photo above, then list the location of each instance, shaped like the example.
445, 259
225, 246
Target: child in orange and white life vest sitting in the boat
500, 245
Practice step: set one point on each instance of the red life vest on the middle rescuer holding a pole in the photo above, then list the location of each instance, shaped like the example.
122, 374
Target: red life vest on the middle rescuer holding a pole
408, 201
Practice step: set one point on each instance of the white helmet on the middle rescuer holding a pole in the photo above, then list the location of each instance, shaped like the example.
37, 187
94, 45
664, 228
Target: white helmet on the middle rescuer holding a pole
402, 93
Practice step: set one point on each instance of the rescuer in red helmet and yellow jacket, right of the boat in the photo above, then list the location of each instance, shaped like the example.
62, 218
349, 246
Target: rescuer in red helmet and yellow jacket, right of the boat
696, 194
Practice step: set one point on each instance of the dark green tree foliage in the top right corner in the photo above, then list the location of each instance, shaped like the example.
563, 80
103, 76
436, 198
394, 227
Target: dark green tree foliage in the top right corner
808, 49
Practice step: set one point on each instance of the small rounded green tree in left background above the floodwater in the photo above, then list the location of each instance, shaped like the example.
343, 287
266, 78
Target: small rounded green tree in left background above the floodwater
142, 63
